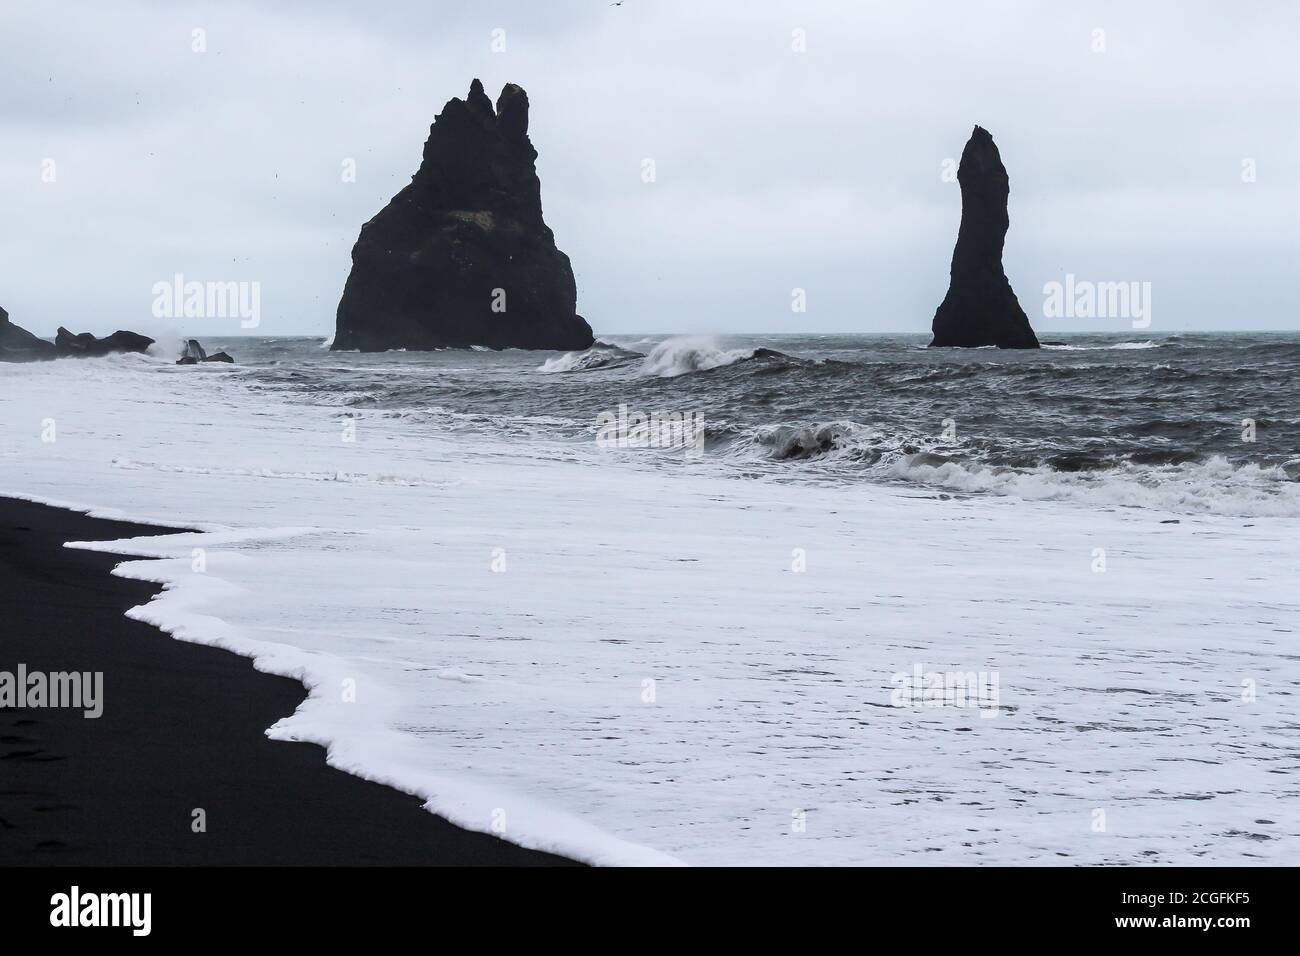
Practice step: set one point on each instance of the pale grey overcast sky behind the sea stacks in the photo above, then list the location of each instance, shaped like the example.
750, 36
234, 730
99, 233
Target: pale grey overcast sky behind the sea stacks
775, 168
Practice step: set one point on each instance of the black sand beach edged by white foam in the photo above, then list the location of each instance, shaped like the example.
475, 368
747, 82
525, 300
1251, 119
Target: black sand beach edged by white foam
183, 729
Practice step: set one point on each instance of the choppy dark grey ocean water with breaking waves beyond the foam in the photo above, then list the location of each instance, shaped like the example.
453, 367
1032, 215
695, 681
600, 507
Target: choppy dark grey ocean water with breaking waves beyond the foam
1182, 422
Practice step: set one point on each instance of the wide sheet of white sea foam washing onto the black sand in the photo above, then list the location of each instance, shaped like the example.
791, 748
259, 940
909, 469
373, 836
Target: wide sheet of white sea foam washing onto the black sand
645, 678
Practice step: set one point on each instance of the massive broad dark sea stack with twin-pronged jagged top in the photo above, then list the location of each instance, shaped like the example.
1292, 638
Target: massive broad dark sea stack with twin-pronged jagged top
427, 270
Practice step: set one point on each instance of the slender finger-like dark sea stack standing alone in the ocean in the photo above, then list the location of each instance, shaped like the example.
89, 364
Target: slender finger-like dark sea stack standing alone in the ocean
981, 308
